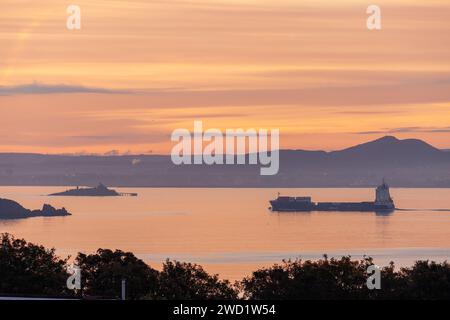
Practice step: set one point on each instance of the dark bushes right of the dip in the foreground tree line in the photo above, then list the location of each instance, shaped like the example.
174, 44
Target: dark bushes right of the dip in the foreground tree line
346, 279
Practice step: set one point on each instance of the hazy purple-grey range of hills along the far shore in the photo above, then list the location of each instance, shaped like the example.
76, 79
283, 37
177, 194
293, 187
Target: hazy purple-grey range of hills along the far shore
404, 163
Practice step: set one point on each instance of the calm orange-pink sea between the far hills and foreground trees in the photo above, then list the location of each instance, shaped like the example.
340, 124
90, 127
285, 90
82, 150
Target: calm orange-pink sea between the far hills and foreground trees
231, 231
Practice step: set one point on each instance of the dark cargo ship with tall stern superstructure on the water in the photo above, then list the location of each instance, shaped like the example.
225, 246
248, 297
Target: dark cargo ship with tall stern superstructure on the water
383, 203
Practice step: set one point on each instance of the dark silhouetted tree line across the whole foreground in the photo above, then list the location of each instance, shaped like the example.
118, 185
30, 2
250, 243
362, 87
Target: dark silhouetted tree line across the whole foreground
27, 269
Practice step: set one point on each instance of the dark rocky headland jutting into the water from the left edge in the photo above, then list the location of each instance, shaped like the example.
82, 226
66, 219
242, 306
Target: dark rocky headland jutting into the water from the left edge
10, 209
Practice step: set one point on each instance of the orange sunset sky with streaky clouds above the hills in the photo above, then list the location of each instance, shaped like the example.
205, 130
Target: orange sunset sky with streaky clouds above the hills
137, 70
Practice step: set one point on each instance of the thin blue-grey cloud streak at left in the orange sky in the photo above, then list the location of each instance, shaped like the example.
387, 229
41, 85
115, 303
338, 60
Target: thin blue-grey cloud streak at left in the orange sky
39, 88
